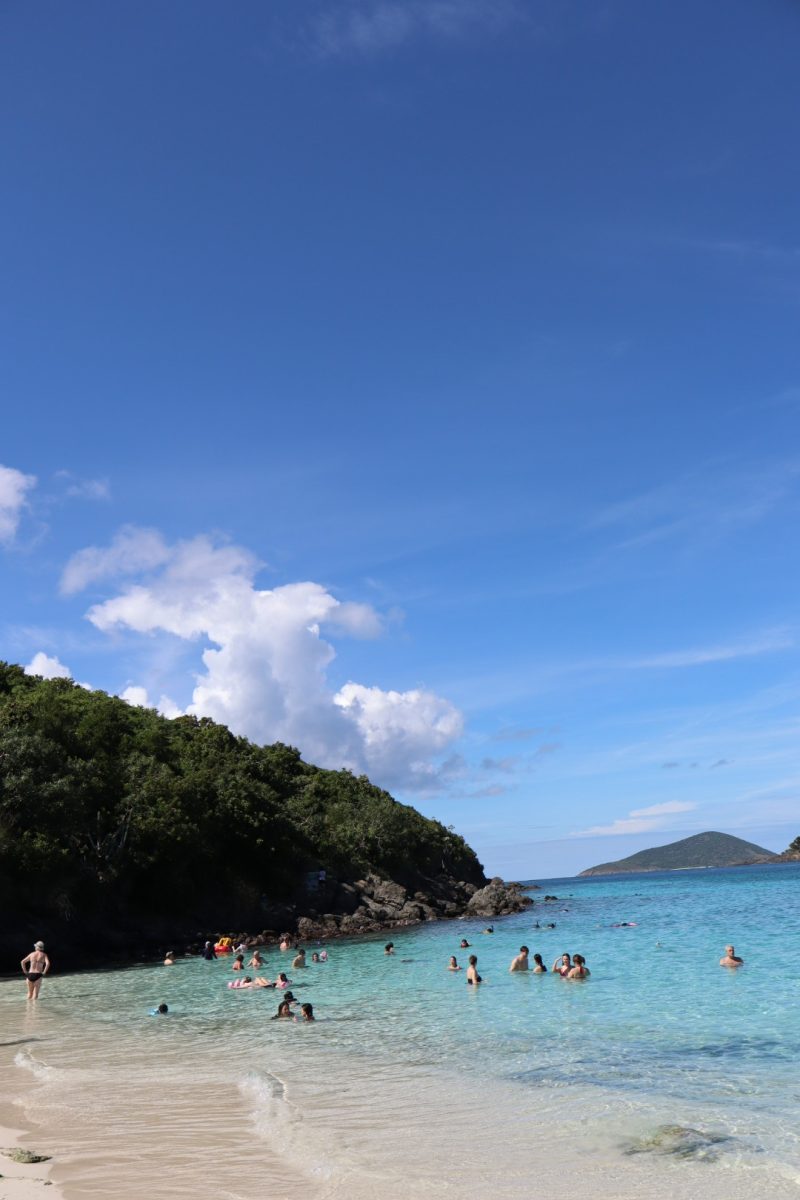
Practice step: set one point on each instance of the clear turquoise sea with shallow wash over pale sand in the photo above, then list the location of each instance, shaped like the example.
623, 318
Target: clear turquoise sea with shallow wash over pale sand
413, 1084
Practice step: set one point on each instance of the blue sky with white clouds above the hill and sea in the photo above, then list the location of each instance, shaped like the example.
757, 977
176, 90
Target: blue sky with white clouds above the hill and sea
419, 383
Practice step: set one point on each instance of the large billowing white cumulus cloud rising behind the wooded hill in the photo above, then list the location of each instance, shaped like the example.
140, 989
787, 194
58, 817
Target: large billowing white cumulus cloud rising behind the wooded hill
266, 658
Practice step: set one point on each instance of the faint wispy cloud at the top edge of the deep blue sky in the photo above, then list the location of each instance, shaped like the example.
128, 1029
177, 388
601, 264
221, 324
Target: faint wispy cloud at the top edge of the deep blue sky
369, 29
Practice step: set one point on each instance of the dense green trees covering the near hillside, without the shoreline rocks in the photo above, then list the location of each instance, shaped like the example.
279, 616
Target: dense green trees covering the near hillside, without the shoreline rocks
105, 808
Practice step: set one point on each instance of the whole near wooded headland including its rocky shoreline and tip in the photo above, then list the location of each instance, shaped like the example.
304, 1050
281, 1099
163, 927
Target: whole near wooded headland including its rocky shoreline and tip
122, 832
